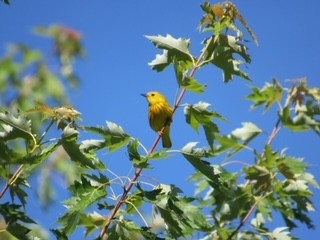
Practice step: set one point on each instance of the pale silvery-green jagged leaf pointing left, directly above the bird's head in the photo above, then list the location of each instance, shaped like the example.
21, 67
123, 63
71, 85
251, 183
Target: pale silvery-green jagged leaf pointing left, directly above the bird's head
174, 50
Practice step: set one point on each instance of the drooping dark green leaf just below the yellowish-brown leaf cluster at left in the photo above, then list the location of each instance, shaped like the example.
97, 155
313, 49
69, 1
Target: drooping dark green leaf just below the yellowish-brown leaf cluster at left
80, 153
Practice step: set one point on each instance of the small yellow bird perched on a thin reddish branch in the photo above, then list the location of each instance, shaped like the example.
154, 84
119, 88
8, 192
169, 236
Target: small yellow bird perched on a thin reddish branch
160, 115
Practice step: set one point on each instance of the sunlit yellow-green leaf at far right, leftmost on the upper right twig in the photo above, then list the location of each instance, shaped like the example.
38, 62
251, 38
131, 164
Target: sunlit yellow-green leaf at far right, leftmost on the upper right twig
270, 94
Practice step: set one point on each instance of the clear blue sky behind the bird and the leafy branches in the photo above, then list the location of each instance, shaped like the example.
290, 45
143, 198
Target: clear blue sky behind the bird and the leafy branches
115, 70
